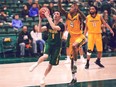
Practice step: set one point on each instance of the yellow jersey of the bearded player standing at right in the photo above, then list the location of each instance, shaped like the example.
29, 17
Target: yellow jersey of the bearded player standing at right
94, 24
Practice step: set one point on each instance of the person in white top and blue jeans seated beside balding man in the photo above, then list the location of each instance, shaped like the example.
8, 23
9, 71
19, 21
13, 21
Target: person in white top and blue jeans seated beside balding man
38, 42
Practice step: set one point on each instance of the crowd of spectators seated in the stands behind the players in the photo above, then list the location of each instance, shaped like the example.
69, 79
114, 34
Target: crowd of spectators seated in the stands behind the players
27, 38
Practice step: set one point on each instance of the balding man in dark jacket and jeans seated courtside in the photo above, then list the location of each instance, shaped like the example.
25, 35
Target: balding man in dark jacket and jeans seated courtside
24, 41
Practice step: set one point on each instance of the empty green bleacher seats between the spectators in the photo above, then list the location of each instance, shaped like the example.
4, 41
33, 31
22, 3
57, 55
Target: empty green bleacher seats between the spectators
16, 7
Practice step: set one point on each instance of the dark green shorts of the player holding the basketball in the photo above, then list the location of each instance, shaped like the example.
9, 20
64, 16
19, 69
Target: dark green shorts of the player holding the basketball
53, 53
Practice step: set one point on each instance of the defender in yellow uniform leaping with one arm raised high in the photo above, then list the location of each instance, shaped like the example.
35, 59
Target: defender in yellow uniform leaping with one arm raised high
77, 39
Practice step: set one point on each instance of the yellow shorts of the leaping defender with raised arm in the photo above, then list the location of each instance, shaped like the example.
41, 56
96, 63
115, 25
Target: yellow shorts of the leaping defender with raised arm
80, 39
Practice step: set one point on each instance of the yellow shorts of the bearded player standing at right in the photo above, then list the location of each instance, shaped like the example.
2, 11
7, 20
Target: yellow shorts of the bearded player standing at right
95, 39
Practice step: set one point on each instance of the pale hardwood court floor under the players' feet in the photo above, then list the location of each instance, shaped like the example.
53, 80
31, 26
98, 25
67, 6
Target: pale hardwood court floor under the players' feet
18, 75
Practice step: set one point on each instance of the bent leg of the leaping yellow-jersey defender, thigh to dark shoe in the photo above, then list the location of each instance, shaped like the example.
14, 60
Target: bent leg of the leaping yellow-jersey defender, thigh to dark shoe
75, 48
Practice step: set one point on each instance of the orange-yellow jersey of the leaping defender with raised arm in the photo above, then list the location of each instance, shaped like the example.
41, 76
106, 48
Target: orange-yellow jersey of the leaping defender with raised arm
73, 25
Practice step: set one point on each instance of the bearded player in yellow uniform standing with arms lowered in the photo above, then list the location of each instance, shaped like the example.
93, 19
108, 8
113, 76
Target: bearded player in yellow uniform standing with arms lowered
93, 26
